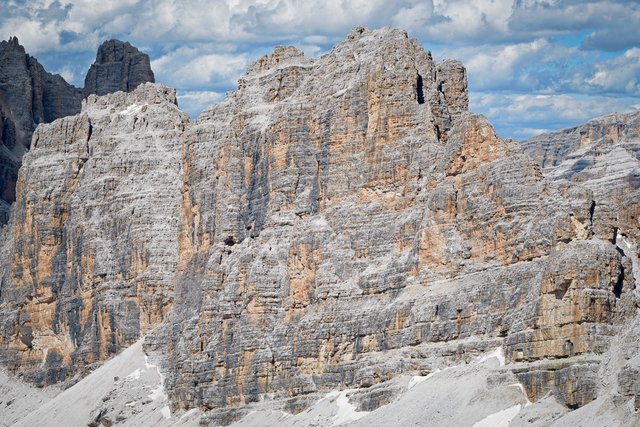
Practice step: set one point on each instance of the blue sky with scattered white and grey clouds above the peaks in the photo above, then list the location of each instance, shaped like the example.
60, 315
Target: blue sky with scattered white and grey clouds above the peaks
533, 65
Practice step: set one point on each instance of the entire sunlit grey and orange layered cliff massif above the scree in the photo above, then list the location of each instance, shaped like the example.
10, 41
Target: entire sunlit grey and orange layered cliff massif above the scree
334, 223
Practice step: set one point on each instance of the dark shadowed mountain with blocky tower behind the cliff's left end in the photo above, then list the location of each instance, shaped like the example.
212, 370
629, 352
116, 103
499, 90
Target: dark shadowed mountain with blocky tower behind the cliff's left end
29, 95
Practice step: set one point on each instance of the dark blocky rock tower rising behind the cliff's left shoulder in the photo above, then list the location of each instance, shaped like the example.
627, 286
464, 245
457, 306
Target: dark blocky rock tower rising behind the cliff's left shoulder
118, 67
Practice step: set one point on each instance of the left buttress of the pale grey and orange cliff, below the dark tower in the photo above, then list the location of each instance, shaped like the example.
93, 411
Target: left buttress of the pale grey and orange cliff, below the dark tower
79, 283
